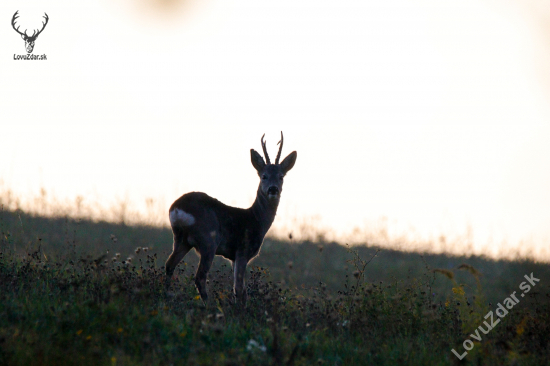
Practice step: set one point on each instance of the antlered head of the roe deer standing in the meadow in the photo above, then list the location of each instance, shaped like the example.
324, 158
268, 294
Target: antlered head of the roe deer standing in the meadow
272, 175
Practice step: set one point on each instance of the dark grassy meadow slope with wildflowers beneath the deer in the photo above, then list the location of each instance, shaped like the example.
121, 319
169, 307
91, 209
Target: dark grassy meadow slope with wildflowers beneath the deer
82, 293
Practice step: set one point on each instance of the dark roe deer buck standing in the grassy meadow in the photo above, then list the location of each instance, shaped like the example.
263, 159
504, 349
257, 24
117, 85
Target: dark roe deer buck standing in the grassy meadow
212, 228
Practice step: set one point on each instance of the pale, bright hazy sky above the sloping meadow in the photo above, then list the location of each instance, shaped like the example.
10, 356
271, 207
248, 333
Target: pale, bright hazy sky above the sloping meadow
433, 115
